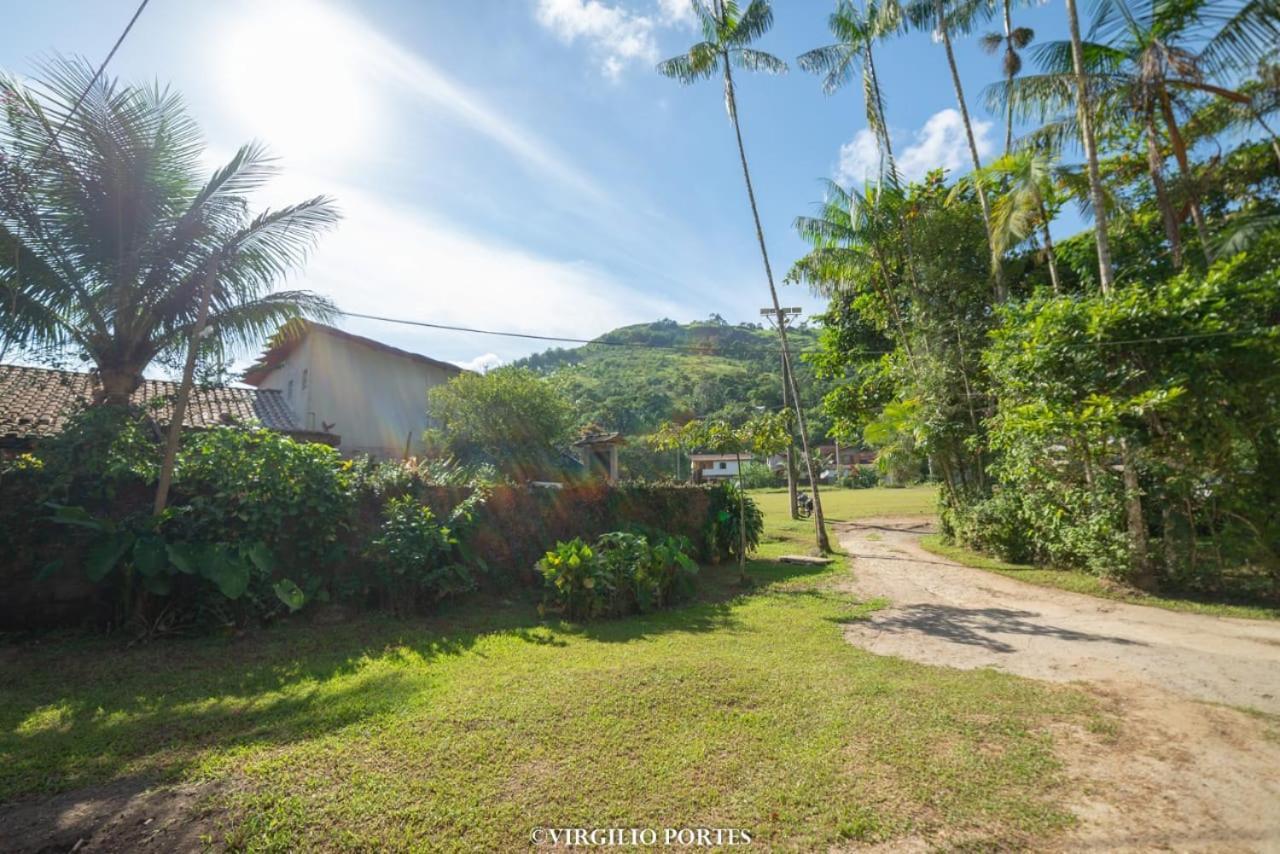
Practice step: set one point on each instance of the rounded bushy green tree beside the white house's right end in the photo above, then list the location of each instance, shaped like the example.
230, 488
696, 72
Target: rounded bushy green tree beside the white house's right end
510, 418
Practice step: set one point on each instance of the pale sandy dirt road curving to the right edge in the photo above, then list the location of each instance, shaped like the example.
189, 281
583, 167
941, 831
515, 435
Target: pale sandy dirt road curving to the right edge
1183, 774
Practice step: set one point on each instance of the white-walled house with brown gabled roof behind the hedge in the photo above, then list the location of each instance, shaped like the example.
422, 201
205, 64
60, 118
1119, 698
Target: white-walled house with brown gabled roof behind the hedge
373, 396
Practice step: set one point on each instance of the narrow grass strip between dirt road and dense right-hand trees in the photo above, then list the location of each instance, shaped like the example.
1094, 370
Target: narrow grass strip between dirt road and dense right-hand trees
1078, 582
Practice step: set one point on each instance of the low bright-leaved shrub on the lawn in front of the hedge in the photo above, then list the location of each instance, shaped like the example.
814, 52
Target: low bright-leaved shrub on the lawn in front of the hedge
624, 574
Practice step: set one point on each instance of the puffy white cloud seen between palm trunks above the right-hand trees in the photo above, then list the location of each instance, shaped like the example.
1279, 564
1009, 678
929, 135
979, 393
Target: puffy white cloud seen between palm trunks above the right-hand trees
940, 143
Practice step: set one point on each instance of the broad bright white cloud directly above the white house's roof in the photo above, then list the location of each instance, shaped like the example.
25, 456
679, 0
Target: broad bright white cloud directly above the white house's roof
401, 262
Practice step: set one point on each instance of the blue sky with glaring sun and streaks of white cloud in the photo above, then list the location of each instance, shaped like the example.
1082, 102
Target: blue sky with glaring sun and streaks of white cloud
518, 165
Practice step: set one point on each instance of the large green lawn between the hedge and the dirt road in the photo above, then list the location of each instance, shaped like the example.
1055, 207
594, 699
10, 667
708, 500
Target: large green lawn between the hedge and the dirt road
470, 729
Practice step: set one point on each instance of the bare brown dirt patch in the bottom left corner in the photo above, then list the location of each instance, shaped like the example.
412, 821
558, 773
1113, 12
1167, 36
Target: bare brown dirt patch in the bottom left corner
122, 816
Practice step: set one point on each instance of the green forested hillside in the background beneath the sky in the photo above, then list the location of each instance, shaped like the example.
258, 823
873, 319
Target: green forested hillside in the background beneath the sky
646, 375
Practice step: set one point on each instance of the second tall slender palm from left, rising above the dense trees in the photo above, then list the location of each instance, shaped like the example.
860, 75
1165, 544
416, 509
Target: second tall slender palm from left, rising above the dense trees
857, 31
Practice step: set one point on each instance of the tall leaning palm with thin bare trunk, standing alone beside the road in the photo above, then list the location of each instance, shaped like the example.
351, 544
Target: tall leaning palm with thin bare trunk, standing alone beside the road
728, 35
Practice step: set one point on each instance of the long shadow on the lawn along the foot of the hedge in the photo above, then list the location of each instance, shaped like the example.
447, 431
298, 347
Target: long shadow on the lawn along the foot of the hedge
77, 713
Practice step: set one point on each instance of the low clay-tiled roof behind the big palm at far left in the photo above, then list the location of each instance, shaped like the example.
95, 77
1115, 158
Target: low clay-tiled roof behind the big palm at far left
38, 401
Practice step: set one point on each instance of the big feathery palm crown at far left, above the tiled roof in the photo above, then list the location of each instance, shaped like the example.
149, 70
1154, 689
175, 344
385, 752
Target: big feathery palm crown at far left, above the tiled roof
113, 245
